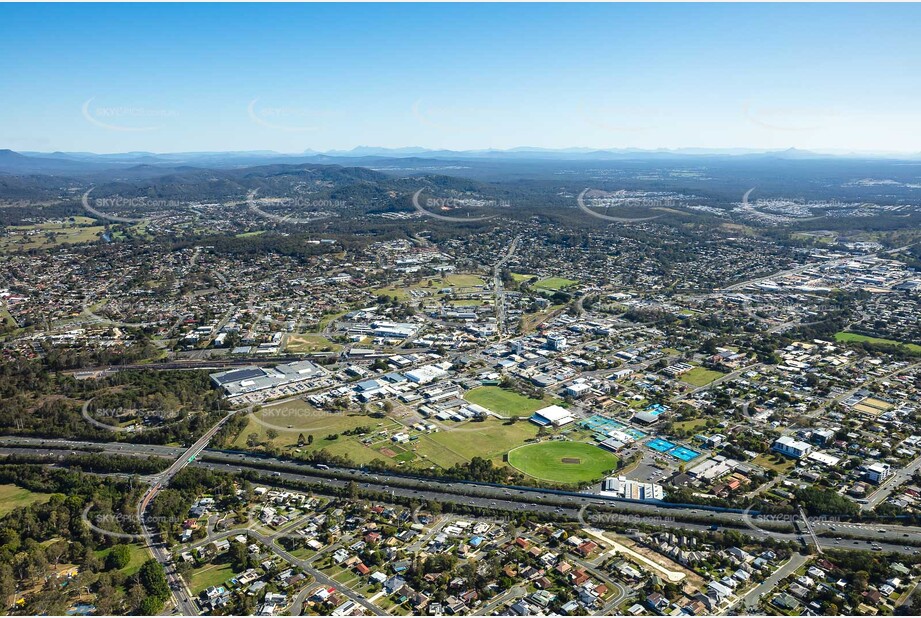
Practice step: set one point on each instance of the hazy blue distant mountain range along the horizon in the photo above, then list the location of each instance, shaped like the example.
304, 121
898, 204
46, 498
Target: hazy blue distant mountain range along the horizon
149, 163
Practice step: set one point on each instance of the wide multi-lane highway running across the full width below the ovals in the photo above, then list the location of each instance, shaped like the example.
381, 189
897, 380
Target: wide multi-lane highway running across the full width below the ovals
487, 496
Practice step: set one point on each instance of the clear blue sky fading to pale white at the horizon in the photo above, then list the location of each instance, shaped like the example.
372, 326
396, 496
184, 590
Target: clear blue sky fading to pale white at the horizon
166, 78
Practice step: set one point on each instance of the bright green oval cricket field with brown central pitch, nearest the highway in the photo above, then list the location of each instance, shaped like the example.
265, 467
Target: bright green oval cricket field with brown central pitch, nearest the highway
563, 462
